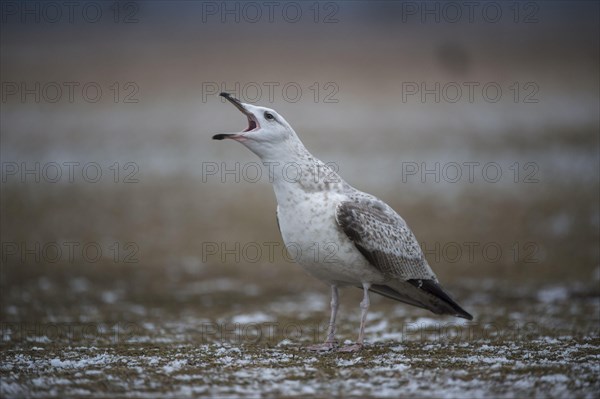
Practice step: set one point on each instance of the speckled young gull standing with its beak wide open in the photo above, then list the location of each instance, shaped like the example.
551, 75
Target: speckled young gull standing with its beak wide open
358, 239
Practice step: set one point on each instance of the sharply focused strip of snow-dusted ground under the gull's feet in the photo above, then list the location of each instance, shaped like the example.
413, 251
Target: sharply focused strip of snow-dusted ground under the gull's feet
497, 369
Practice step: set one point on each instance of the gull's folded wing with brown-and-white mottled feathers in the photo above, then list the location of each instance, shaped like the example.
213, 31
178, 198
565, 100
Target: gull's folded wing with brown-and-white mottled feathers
383, 237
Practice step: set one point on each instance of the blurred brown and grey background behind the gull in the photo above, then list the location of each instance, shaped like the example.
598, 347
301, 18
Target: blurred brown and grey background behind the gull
478, 124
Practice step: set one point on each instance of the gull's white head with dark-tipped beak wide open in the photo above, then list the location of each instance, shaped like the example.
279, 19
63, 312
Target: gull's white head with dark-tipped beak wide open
268, 135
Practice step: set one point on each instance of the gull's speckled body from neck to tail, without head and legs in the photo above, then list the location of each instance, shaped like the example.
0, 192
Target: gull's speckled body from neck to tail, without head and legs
372, 243
